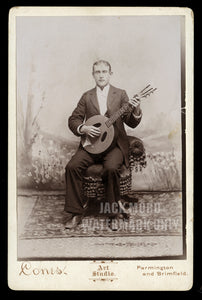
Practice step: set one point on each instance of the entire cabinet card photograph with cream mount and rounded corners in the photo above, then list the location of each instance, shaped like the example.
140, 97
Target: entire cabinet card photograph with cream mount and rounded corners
100, 148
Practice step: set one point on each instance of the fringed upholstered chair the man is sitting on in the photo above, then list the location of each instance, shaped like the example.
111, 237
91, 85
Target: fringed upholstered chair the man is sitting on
92, 184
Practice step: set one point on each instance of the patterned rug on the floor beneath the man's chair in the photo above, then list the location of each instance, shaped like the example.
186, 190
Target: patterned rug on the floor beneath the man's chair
152, 214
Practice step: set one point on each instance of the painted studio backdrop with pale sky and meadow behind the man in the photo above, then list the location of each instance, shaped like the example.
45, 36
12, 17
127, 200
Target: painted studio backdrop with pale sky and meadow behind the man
54, 68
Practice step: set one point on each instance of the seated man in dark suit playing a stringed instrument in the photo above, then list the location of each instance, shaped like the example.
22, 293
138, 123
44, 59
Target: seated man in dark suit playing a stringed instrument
104, 99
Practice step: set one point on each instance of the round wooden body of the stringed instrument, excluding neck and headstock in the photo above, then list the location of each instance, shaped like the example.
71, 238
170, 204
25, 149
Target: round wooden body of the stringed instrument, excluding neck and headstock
97, 145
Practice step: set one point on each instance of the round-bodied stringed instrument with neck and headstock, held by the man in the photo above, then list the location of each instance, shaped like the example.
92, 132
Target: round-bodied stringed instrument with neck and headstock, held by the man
99, 144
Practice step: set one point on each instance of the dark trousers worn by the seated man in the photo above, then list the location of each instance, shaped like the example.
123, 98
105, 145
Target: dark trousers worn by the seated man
75, 169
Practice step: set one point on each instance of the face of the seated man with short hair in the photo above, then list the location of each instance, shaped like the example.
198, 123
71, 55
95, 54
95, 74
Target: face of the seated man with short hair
101, 75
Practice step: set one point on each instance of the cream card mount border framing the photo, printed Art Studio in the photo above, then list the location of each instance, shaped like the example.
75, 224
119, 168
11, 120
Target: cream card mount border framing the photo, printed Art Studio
129, 278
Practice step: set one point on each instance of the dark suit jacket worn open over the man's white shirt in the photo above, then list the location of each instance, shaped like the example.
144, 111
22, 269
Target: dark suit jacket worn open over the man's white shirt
88, 106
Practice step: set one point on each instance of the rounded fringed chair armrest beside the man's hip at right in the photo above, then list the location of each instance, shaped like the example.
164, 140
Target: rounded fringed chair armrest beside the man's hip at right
137, 156
